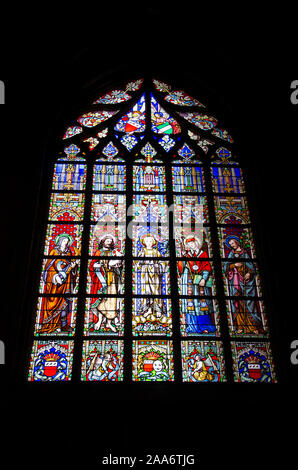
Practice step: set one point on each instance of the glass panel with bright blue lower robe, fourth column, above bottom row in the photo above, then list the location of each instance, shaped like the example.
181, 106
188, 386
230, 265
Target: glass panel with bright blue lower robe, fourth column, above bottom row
199, 316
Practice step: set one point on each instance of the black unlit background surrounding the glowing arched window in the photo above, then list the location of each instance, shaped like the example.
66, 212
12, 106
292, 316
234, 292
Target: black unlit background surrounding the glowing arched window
245, 60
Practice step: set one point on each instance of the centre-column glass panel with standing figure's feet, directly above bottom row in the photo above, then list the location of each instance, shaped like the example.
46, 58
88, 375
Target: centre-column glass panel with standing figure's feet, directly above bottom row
151, 316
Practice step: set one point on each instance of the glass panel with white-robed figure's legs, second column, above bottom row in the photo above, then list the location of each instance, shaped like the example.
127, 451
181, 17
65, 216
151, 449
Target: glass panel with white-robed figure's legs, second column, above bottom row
104, 316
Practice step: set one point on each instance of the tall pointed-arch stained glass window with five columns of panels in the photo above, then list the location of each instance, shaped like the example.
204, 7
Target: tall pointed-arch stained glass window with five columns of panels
149, 269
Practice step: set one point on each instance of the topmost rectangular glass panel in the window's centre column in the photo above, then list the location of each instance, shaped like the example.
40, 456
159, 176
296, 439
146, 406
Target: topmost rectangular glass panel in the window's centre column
149, 178
